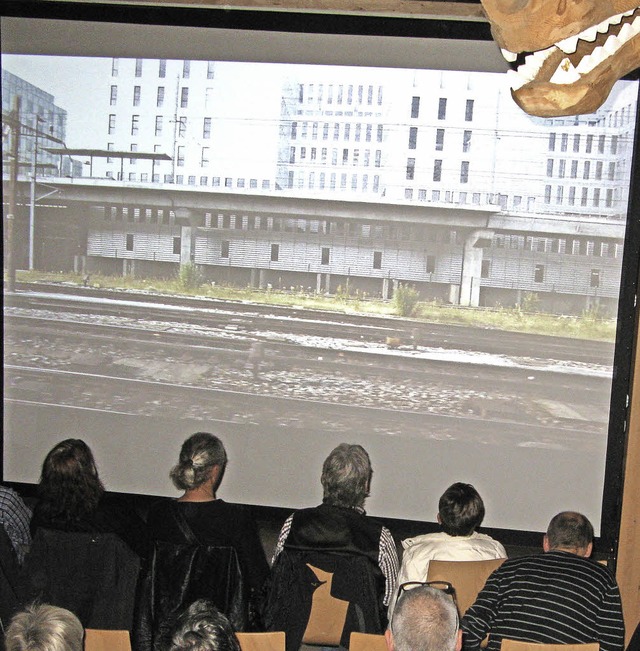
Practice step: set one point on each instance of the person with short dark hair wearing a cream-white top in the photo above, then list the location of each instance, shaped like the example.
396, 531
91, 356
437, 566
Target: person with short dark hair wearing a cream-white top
460, 513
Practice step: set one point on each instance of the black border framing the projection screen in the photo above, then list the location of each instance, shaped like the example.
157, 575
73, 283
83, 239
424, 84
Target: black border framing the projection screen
370, 25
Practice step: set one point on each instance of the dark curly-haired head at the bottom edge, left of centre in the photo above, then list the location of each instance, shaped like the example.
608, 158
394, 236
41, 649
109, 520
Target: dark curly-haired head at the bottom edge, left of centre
202, 627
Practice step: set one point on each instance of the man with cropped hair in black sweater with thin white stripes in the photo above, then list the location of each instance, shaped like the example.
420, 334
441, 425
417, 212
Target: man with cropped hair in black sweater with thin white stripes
560, 597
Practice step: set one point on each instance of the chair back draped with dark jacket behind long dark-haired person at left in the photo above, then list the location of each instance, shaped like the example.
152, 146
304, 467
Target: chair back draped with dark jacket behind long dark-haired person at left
92, 575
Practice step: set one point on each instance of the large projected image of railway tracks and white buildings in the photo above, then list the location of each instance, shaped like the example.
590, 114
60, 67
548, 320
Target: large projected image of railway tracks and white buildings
293, 256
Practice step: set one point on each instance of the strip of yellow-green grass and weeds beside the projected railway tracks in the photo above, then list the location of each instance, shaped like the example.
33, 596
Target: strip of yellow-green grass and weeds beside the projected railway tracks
592, 324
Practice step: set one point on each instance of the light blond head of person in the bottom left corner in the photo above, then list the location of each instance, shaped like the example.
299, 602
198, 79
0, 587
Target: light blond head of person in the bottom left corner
41, 627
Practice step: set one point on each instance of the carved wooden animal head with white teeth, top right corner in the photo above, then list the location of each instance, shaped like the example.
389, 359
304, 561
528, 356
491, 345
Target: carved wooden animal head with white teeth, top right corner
567, 53
